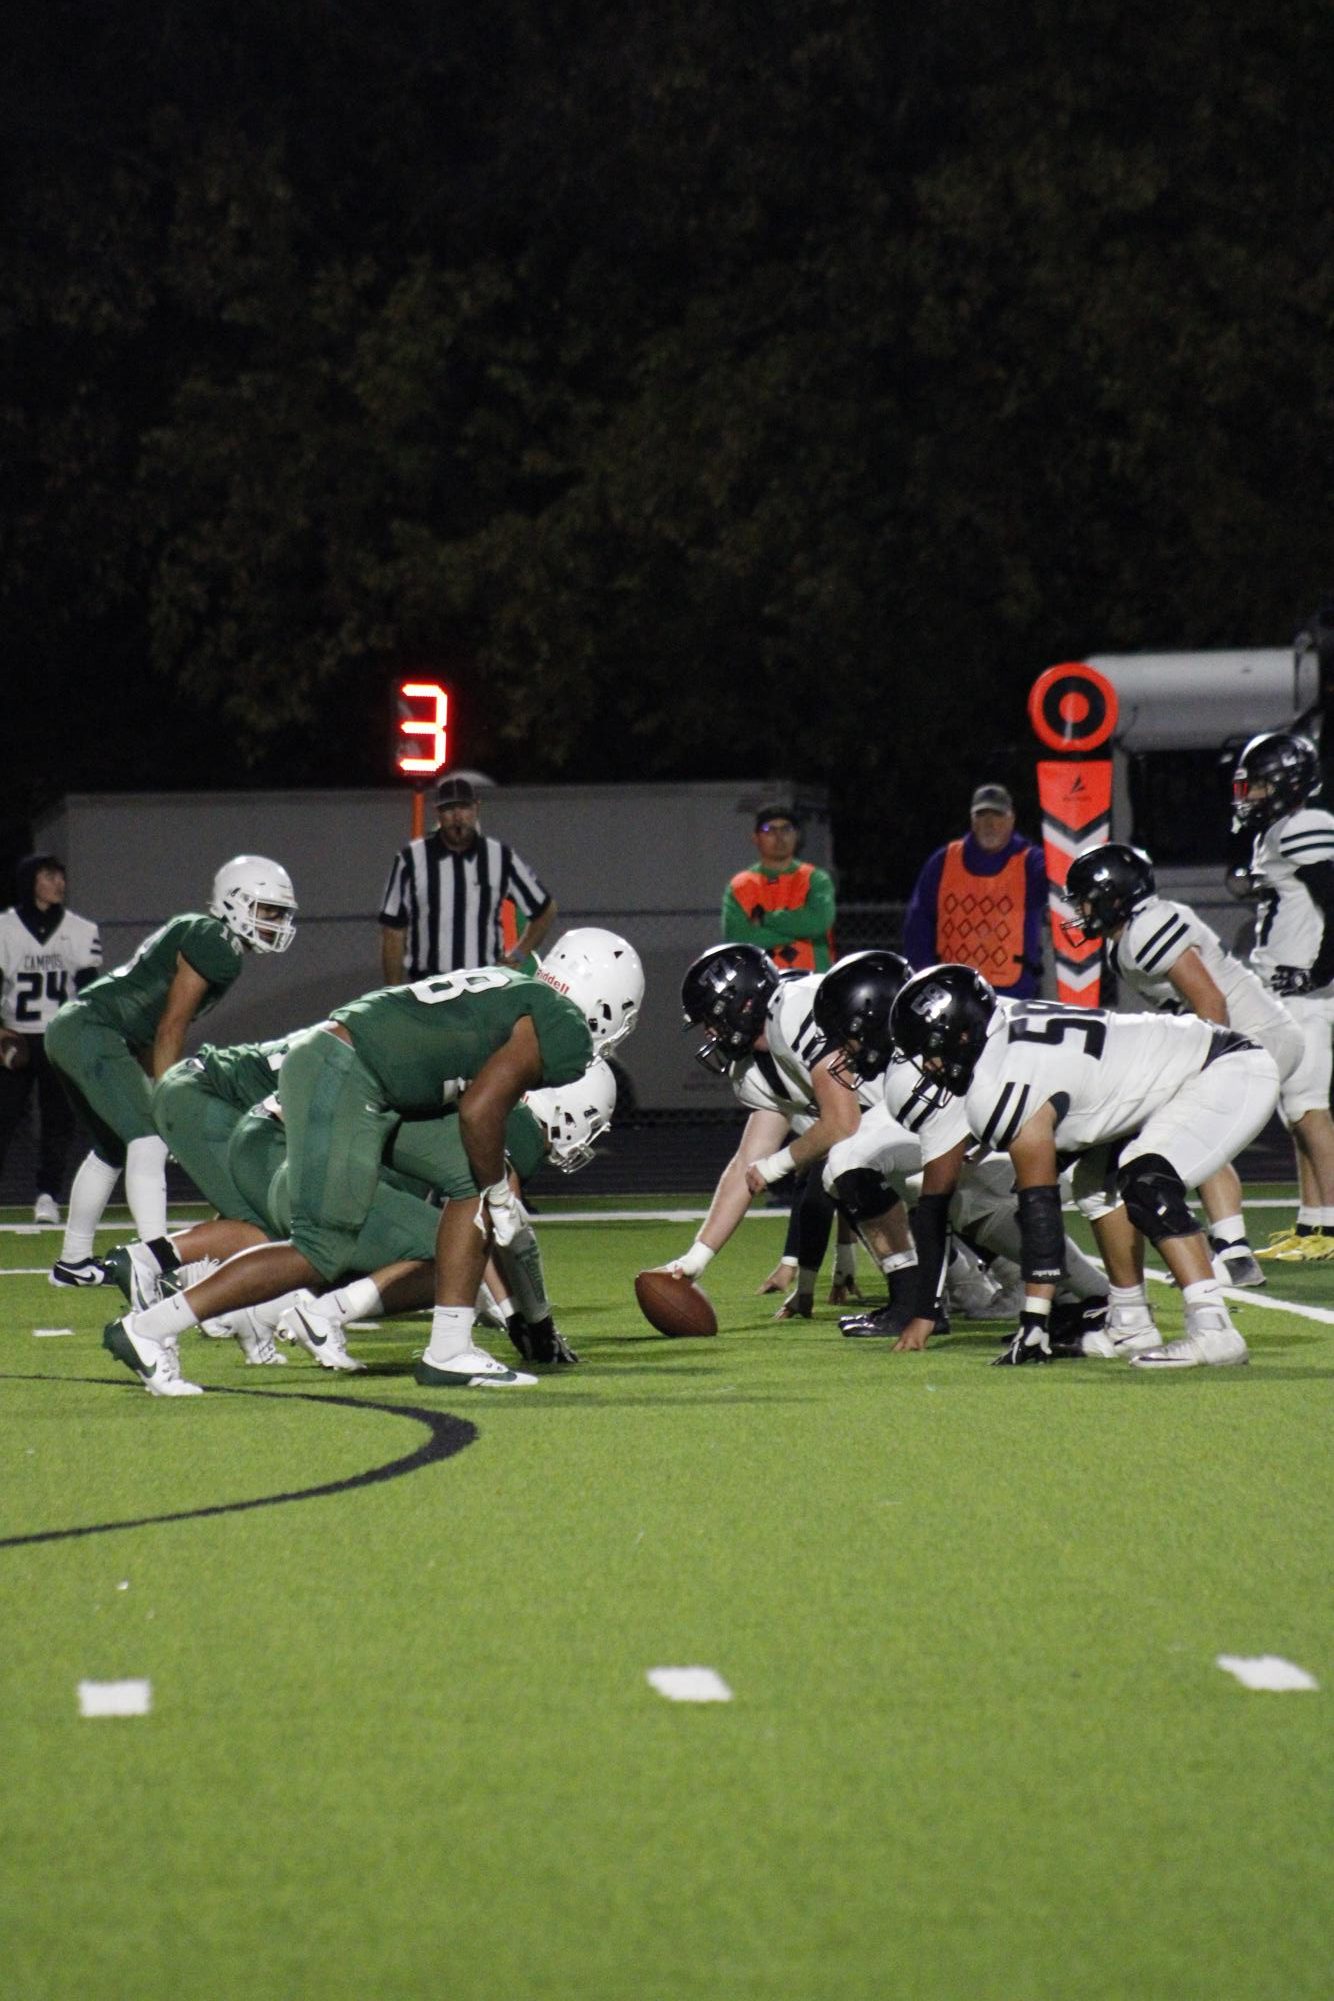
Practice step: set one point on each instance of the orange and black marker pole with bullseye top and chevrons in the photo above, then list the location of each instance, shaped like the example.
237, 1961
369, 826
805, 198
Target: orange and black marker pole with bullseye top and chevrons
1073, 711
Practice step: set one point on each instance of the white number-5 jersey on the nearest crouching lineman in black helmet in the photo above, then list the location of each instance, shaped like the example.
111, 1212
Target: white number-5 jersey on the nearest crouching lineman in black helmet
1103, 1074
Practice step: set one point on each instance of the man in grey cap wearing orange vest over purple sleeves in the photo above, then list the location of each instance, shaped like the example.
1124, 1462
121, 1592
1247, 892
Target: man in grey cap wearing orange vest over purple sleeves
981, 901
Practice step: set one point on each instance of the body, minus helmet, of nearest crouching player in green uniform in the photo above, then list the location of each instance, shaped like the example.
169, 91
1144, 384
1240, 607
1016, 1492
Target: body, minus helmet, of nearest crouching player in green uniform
479, 1040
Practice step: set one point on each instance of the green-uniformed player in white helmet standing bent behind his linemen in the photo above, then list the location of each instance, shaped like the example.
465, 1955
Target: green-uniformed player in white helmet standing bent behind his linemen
129, 1028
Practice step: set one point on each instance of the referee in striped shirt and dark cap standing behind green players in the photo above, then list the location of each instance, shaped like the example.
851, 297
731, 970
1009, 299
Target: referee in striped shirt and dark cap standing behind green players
443, 901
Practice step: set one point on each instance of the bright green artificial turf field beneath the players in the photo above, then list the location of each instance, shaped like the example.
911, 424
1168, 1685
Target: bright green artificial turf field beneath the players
403, 1742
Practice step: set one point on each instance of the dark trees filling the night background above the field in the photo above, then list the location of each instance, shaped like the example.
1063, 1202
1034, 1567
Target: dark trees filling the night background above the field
707, 391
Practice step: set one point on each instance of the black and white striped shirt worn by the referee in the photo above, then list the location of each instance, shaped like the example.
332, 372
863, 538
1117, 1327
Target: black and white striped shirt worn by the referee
451, 903
